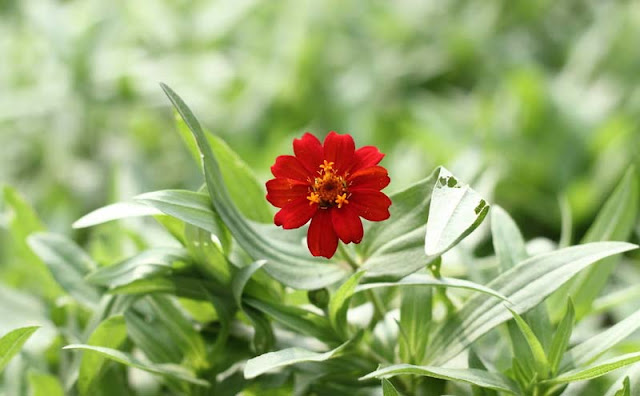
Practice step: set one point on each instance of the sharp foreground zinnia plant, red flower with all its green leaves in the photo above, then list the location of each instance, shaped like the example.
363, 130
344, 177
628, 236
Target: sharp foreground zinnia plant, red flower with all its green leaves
229, 303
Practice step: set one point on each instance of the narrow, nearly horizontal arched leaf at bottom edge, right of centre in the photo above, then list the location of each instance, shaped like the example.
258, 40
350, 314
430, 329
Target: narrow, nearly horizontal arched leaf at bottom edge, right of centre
481, 378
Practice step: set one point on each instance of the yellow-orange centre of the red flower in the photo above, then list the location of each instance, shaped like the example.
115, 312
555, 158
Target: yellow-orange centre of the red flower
328, 189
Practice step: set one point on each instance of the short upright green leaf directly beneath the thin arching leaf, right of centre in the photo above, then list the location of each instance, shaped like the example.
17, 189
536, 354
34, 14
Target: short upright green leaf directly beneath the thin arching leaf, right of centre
415, 323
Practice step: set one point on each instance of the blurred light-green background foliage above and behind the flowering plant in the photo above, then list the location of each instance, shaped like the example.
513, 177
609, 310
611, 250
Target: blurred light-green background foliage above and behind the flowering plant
540, 98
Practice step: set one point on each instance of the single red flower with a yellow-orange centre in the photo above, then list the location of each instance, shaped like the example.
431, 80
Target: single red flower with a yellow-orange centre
333, 186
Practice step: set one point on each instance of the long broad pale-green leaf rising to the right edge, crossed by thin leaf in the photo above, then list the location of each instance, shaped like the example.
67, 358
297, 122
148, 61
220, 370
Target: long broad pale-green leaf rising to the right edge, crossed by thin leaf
525, 285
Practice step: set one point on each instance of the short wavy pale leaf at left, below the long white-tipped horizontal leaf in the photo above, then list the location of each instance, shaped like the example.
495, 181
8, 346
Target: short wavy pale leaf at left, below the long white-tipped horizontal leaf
150, 263
